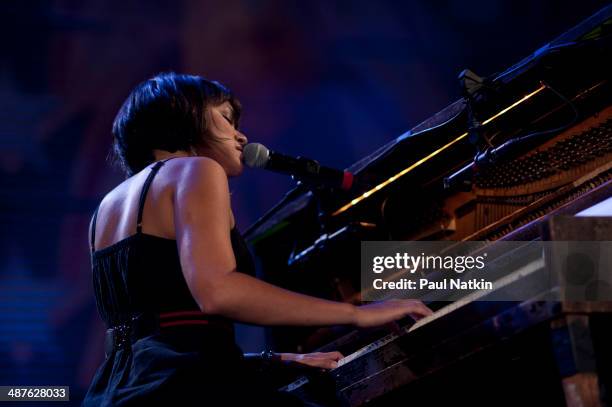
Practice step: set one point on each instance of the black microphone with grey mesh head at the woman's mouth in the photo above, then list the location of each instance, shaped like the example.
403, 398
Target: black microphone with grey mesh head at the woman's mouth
304, 169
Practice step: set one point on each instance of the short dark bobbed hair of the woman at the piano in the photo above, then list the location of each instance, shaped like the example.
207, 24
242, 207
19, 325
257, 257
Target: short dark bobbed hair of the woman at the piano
166, 112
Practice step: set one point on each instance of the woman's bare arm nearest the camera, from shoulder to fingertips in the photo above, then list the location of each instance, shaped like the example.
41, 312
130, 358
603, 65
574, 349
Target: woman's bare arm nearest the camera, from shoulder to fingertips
202, 223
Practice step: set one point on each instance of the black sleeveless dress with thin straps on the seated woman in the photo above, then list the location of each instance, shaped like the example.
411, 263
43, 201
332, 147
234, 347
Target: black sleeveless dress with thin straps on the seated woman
182, 355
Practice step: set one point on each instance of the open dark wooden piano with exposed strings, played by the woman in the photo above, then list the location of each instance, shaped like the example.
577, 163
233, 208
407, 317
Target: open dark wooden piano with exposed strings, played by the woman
525, 155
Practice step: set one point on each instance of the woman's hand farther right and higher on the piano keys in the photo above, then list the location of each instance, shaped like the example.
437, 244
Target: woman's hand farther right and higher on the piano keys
380, 313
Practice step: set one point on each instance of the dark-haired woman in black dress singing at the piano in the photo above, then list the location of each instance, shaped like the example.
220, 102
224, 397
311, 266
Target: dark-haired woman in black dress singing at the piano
170, 269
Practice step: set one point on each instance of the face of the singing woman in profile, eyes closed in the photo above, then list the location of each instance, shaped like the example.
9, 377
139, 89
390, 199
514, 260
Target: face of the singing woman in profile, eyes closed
226, 148
